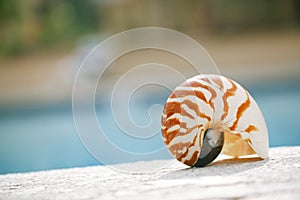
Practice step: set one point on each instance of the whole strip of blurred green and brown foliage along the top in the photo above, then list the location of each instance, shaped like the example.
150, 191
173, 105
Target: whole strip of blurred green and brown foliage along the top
33, 25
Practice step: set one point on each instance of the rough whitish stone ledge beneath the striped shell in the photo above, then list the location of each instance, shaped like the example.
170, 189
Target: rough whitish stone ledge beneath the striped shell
275, 178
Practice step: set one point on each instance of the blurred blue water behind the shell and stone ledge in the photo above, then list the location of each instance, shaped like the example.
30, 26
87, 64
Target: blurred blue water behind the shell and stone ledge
41, 138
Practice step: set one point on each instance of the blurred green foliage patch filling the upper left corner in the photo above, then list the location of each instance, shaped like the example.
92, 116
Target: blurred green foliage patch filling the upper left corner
38, 24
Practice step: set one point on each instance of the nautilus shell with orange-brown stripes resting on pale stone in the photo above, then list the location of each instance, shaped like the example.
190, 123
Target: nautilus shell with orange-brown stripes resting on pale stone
210, 114
